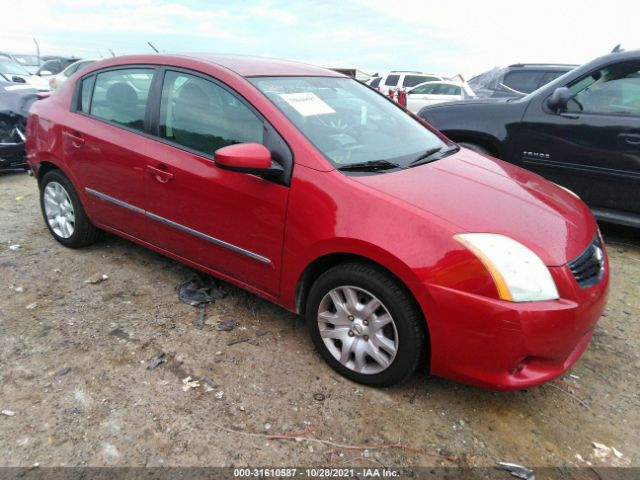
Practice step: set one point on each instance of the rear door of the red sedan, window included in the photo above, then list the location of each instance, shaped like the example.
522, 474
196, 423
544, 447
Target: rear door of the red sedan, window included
102, 146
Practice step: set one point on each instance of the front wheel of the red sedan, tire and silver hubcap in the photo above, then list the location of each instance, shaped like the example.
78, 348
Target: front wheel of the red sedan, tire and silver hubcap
357, 345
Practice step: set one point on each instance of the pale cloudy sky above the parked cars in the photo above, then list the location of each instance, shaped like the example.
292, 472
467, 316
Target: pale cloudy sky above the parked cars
456, 36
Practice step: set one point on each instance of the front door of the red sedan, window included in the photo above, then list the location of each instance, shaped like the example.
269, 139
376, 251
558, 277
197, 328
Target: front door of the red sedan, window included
228, 221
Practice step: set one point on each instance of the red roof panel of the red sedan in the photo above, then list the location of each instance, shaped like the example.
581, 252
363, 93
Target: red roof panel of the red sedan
244, 65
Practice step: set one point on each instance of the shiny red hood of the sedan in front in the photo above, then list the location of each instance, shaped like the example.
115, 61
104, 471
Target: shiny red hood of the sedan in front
481, 194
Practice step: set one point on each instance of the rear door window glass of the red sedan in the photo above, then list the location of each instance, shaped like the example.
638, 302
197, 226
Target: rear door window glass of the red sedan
120, 96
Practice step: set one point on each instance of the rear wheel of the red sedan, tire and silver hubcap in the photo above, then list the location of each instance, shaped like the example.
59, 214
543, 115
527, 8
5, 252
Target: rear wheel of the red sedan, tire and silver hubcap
63, 212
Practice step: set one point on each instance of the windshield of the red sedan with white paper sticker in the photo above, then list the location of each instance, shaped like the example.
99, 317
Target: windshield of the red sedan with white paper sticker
348, 122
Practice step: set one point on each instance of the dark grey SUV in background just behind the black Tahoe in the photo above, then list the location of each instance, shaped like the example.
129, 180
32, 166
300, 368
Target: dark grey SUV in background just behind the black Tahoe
516, 80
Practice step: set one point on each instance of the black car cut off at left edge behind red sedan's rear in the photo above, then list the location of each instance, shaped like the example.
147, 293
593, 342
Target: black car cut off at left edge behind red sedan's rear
15, 100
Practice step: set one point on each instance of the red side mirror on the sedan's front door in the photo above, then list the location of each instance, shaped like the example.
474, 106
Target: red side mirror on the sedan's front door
248, 158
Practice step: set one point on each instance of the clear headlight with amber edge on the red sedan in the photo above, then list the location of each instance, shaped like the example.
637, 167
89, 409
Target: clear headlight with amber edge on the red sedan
519, 274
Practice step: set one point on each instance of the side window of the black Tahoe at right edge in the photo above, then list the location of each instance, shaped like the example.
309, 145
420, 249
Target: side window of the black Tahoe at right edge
614, 90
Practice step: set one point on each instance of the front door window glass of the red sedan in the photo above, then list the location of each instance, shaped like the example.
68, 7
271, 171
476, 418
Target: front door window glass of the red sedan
202, 116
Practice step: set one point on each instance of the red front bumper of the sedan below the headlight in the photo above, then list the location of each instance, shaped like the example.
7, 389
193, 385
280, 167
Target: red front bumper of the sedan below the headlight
509, 346
